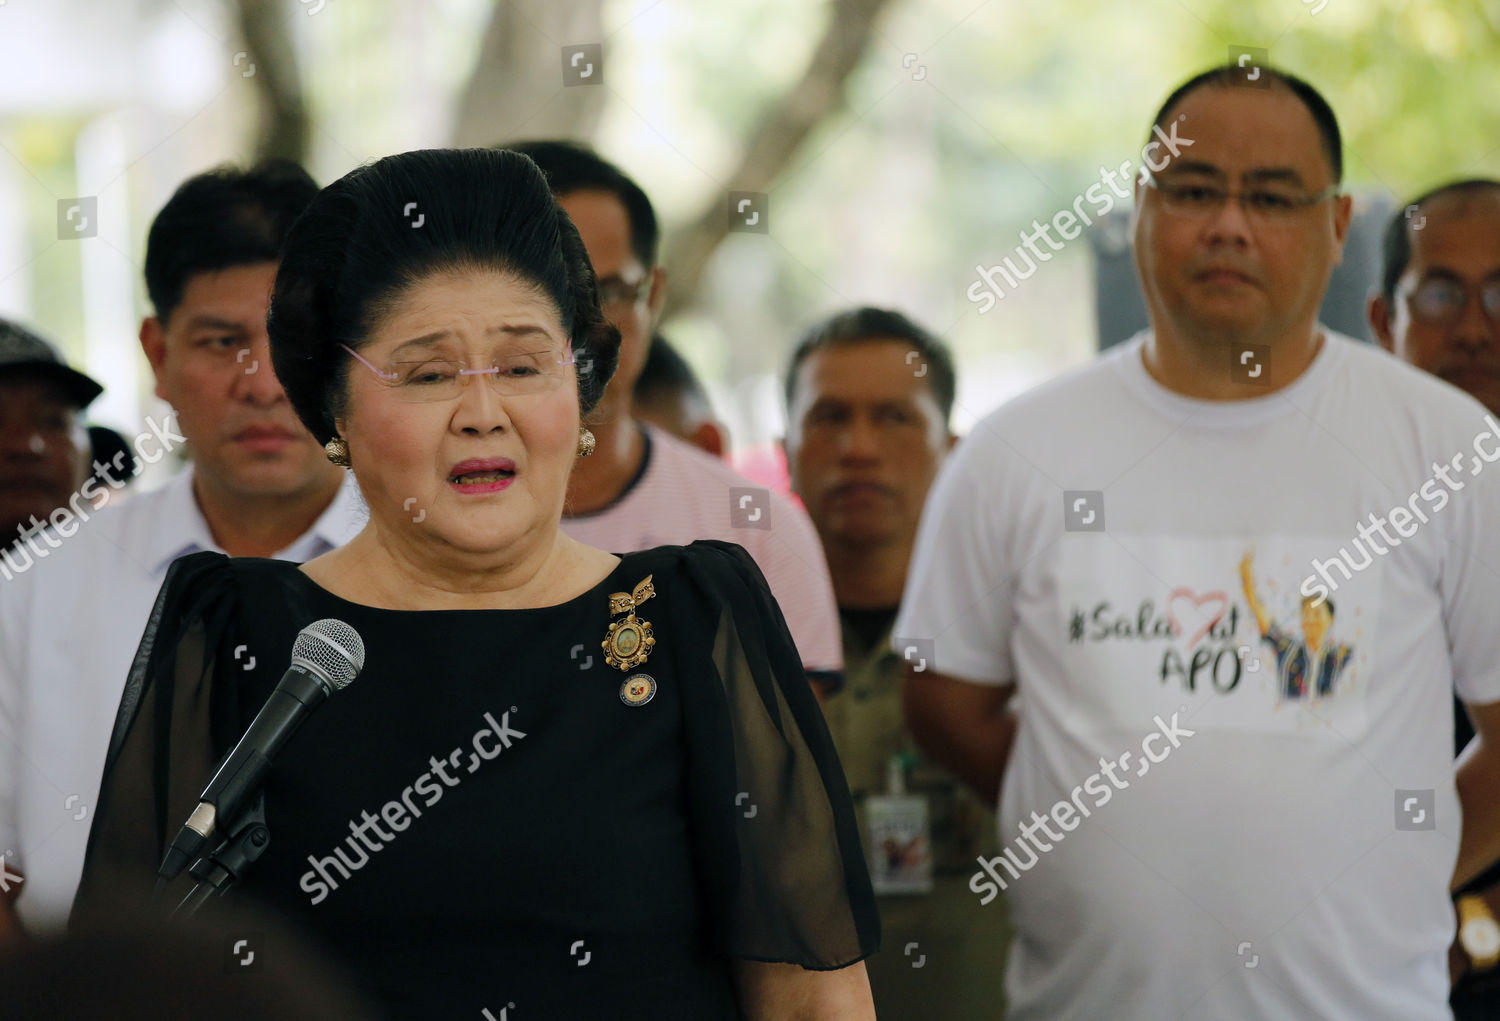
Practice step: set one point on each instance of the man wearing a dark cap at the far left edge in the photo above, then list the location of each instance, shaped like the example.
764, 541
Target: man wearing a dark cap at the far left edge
44, 449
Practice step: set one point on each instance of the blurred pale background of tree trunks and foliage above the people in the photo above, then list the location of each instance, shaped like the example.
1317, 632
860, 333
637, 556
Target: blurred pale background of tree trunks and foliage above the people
899, 143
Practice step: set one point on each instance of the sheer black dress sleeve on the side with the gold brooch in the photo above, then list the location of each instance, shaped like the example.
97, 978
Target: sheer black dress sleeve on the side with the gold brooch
775, 825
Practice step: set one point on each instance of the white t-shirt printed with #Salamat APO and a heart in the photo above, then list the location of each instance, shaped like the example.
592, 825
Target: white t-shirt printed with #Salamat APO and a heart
1285, 848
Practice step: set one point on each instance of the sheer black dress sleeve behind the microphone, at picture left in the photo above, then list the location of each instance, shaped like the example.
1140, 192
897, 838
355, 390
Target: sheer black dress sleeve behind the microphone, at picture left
172, 728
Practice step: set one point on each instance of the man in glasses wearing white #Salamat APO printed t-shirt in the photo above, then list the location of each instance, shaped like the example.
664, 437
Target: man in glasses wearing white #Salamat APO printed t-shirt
1100, 564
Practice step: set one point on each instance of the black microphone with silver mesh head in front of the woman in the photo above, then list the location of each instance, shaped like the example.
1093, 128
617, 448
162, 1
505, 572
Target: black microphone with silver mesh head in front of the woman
326, 656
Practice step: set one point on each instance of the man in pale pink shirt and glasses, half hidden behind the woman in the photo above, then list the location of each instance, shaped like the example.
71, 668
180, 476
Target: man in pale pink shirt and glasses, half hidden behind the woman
643, 487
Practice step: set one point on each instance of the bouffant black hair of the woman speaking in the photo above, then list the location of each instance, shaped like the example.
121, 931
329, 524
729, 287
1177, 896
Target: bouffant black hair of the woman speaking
382, 229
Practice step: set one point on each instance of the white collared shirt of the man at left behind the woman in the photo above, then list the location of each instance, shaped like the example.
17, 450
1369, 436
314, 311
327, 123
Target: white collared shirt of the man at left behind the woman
70, 626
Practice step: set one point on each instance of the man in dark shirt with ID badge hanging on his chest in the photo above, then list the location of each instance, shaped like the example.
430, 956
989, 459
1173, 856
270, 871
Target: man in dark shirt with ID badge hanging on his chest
869, 395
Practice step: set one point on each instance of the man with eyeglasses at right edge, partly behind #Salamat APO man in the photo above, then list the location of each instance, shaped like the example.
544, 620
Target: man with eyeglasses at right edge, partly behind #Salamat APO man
1439, 310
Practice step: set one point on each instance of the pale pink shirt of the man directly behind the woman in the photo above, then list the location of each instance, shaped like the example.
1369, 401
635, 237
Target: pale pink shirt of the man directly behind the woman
683, 494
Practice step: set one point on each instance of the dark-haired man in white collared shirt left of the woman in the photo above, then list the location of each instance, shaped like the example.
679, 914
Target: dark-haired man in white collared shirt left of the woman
73, 617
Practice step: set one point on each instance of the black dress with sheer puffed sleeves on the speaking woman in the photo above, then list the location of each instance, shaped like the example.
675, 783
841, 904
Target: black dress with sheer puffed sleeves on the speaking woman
532, 833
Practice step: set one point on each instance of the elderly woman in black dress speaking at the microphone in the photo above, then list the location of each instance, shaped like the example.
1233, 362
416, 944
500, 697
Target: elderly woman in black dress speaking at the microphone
568, 783
